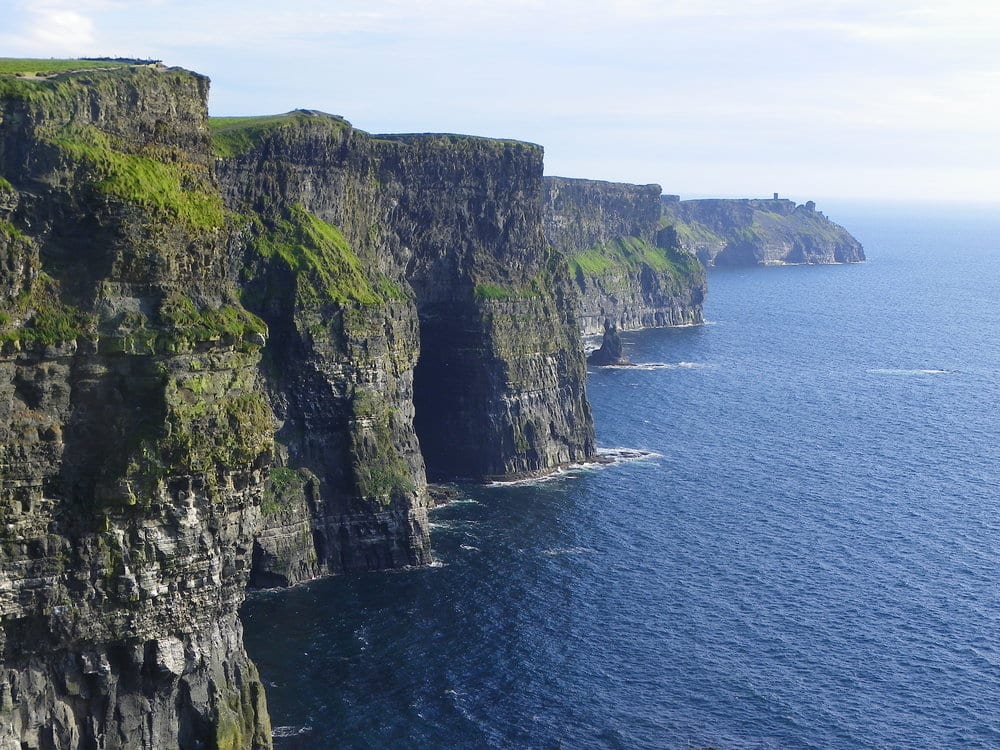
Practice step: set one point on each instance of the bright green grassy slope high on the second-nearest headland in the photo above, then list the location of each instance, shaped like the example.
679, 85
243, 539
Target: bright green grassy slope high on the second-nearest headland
325, 266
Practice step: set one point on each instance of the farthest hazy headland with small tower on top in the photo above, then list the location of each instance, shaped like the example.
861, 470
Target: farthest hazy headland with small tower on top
748, 232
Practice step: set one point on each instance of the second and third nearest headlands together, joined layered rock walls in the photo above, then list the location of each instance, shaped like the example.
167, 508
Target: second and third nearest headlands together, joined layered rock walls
449, 323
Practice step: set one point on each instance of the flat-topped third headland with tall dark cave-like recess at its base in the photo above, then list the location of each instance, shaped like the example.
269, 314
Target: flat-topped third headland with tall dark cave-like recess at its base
501, 381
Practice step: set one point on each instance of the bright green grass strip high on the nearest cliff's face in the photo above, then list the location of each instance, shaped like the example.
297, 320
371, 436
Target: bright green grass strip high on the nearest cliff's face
156, 181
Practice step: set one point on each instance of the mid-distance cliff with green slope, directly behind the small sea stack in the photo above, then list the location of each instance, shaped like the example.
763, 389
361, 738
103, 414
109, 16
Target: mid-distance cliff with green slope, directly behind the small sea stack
628, 272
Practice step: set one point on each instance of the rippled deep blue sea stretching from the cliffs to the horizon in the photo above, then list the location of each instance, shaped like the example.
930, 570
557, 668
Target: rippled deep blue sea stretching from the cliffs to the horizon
812, 561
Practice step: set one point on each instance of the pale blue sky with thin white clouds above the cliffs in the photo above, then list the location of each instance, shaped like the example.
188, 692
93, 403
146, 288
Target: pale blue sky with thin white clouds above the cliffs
839, 99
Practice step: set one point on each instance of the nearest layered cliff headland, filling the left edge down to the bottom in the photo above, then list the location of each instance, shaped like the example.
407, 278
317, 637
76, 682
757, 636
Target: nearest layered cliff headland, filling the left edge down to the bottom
134, 435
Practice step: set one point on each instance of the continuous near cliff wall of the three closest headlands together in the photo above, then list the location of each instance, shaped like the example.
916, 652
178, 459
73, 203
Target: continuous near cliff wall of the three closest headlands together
231, 357
